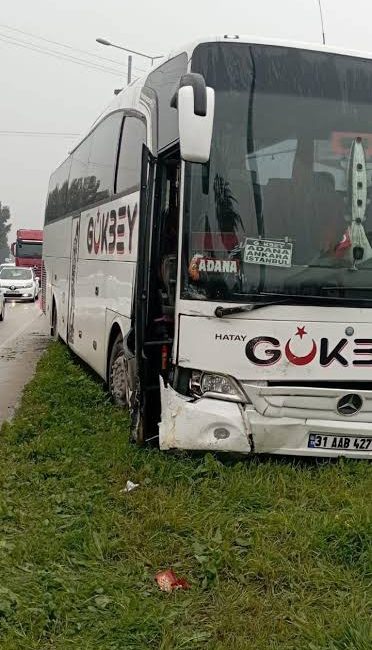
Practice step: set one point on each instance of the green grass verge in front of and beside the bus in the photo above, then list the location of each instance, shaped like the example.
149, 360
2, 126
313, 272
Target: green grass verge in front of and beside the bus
278, 553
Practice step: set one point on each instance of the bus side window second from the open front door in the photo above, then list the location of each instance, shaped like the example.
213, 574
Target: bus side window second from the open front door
102, 159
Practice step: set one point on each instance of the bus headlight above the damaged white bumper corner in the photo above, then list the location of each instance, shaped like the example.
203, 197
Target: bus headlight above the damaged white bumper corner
210, 384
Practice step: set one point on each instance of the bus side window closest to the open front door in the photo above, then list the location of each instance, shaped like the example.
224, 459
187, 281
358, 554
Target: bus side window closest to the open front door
129, 167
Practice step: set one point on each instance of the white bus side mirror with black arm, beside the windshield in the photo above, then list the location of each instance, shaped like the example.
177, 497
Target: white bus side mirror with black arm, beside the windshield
195, 104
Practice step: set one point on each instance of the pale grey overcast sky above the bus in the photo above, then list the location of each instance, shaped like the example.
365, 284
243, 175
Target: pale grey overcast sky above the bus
43, 93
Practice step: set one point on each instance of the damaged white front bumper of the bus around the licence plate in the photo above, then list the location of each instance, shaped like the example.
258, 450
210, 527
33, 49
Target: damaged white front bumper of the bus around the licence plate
221, 426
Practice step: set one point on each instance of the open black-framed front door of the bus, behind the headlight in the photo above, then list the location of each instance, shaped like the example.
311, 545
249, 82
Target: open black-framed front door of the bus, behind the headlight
155, 284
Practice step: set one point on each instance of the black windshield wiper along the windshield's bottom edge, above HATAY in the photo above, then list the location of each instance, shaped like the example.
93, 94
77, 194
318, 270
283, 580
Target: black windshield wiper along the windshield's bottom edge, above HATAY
220, 311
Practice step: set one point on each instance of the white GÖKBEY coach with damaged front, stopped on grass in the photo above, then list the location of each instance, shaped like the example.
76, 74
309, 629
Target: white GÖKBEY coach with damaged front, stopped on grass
207, 249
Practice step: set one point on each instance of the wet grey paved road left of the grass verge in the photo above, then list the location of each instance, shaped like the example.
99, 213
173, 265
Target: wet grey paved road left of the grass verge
23, 337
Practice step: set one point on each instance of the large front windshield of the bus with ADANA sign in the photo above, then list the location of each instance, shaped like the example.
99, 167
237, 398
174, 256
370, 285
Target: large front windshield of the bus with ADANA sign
283, 204
